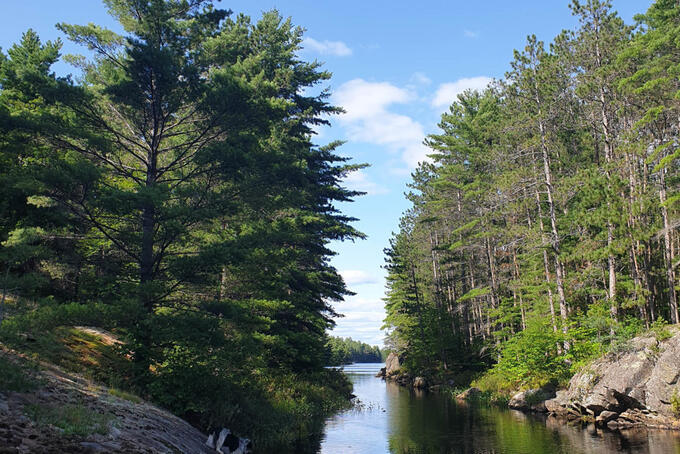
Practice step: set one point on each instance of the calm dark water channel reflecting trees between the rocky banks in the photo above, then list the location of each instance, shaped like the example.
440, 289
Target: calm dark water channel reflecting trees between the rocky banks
392, 419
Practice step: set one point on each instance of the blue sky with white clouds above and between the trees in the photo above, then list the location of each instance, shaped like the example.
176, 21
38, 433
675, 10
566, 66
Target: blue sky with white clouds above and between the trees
397, 65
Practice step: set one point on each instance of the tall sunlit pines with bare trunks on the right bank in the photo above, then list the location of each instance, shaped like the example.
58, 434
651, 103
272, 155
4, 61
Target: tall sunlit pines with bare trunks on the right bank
545, 230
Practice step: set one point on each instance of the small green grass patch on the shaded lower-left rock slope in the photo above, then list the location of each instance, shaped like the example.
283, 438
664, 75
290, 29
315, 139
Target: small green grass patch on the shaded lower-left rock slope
76, 420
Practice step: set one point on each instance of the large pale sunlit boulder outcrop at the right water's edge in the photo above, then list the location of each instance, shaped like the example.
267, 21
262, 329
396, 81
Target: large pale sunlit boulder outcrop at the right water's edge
626, 389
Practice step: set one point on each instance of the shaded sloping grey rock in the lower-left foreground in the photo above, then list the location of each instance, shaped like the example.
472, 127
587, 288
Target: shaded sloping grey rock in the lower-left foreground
129, 425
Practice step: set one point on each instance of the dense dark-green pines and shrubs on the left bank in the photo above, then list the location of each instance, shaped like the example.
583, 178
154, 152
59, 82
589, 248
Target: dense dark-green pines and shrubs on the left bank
172, 193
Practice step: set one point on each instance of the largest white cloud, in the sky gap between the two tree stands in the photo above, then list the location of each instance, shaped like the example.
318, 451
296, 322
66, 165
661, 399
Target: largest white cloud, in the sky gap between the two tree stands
368, 118
